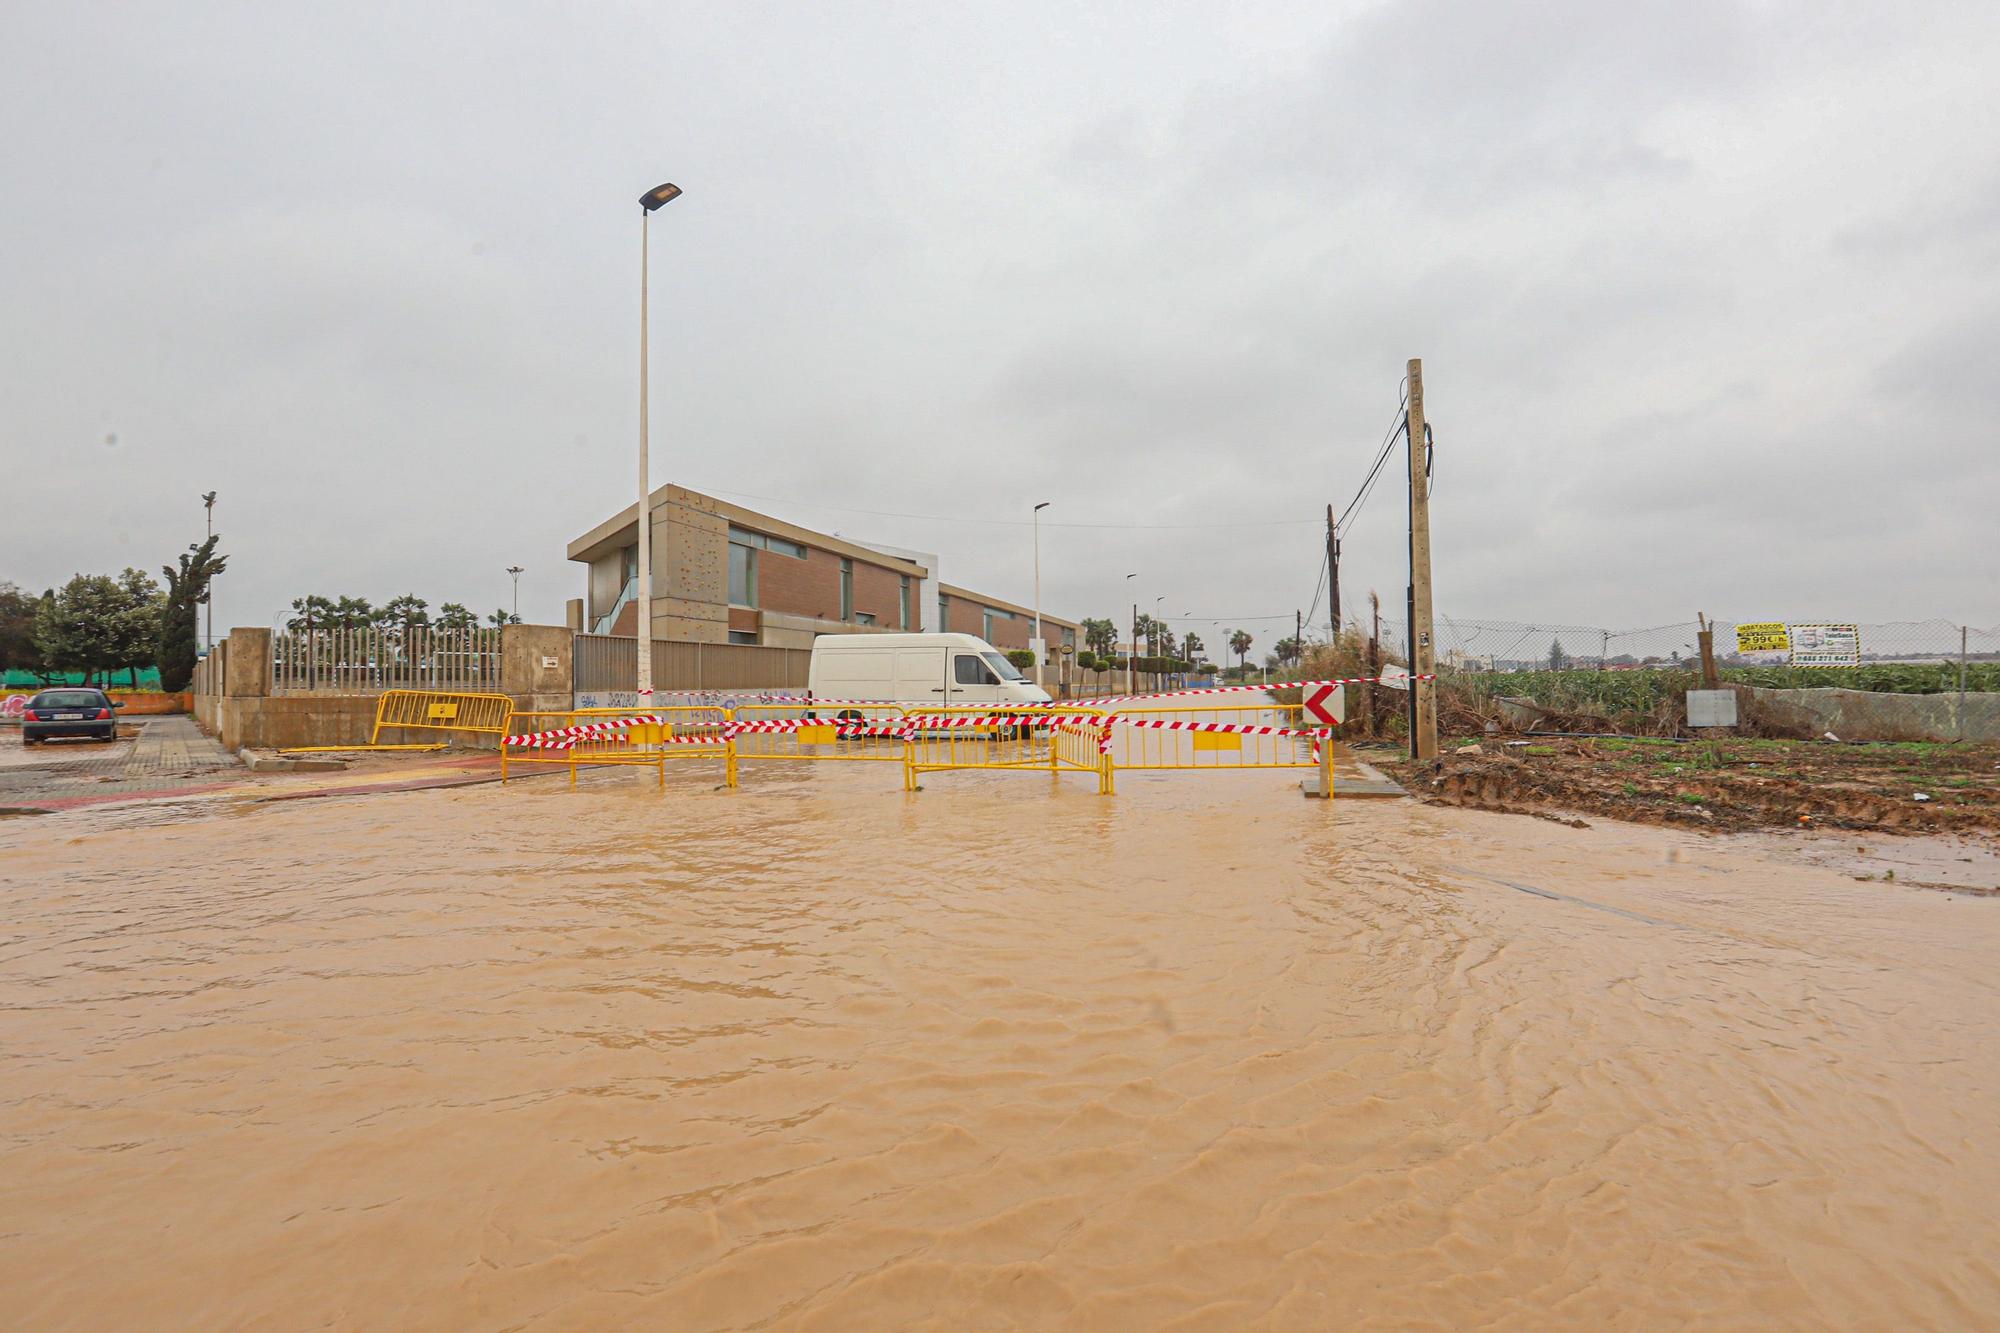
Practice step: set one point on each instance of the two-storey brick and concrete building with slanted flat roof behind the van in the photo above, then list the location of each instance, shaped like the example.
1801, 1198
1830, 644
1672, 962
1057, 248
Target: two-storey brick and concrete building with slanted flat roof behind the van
723, 573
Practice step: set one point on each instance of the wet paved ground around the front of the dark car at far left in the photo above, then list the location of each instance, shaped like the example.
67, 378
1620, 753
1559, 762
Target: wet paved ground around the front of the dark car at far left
169, 758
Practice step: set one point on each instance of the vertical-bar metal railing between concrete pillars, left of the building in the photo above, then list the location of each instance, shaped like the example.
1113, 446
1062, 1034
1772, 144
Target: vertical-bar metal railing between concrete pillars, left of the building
369, 661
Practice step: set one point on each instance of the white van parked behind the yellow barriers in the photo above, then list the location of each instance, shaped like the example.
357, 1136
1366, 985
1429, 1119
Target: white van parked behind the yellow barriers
917, 672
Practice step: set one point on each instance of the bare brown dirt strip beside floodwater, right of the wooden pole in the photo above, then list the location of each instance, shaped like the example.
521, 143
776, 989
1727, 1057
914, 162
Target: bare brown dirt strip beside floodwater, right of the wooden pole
1723, 786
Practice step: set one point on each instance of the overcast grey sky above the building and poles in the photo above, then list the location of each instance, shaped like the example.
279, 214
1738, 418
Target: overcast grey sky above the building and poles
1707, 295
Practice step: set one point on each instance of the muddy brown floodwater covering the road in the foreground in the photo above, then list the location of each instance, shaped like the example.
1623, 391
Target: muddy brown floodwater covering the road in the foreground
817, 1054
